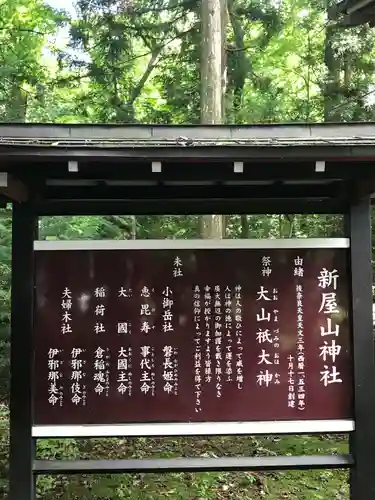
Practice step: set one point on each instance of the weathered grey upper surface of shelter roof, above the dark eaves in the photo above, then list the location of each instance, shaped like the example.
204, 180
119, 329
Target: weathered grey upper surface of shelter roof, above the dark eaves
32, 139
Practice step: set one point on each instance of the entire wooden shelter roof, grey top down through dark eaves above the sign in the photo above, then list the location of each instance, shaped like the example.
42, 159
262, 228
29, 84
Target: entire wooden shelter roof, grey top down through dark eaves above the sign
71, 169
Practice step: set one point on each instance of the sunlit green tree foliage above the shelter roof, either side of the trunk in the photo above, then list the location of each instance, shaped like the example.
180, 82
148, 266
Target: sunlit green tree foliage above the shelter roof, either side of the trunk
138, 61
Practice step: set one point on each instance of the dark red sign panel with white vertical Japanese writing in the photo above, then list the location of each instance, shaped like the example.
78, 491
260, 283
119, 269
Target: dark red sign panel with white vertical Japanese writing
191, 335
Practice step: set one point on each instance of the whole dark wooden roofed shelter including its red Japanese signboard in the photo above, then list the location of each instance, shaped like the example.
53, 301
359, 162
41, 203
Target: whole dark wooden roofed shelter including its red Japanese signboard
281, 328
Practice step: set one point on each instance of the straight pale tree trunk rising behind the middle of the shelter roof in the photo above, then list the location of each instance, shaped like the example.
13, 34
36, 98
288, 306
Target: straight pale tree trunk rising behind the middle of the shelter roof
212, 83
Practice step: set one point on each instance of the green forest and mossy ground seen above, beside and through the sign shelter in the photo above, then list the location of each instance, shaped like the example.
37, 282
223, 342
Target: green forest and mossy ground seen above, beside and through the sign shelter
138, 61
